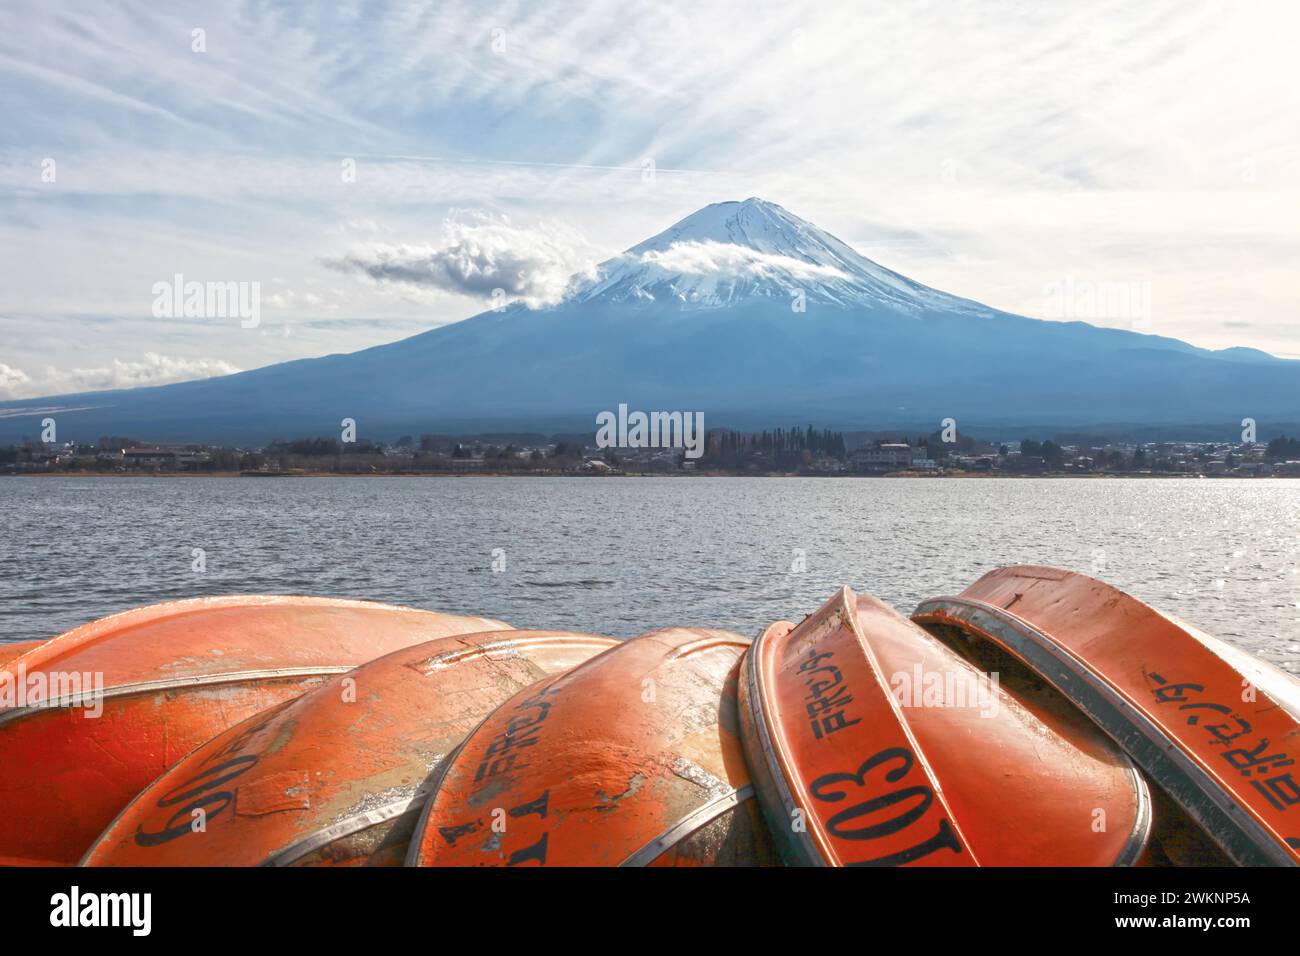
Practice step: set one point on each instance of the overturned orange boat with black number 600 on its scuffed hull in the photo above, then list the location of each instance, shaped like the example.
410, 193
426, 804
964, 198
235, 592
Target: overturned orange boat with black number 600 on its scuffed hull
341, 775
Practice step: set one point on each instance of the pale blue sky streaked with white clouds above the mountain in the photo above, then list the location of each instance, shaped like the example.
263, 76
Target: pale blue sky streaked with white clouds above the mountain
994, 150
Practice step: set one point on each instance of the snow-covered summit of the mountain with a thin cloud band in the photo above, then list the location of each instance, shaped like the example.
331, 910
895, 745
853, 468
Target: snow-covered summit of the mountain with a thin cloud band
727, 253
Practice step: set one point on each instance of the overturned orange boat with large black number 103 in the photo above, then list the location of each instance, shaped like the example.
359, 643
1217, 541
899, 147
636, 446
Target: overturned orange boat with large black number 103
873, 745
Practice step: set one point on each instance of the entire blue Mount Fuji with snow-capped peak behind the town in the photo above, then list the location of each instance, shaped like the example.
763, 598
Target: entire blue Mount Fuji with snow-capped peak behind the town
743, 312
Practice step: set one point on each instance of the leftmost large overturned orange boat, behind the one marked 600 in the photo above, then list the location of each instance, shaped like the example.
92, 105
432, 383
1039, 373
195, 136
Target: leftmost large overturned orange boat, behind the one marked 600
89, 719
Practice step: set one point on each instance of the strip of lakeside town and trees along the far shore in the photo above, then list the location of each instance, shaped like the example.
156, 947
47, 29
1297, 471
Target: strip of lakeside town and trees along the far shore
775, 452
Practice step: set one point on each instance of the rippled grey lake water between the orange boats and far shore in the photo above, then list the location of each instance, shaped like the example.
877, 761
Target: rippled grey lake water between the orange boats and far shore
623, 556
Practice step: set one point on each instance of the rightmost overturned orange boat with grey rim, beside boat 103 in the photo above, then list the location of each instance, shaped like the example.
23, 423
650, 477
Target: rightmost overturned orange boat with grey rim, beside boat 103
1215, 728
